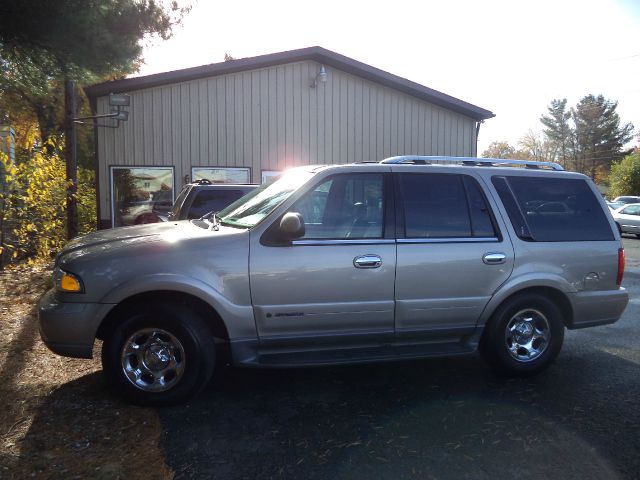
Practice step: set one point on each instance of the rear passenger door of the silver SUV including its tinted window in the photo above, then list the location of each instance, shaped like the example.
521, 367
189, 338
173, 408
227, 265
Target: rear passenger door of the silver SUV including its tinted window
451, 255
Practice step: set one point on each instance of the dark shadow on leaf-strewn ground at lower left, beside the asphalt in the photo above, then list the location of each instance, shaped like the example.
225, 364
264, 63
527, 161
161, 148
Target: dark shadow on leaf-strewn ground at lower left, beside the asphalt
81, 431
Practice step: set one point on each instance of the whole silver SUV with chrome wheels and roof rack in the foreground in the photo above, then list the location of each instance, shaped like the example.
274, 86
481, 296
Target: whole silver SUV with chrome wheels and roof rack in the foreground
411, 257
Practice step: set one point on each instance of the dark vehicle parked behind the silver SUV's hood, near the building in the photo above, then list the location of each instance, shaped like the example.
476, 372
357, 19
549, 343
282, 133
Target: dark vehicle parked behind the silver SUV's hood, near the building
202, 196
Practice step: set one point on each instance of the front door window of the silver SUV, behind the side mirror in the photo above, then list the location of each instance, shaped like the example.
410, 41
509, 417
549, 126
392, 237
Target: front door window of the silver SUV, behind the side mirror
348, 206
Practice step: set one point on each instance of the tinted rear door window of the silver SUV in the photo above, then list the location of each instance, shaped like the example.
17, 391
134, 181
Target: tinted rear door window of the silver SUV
444, 206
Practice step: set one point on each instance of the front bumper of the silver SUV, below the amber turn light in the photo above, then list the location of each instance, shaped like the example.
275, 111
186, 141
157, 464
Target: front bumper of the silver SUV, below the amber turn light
69, 329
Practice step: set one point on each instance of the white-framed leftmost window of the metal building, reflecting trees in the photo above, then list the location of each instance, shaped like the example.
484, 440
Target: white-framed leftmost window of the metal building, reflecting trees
141, 195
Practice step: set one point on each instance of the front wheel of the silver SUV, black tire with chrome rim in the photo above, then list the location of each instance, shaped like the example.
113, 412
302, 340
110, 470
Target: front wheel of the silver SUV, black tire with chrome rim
159, 355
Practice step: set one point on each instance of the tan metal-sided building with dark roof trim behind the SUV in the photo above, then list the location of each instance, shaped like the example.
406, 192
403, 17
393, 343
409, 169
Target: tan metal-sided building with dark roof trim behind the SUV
245, 119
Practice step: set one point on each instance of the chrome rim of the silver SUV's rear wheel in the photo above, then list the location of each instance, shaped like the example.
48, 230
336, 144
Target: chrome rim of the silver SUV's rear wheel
527, 335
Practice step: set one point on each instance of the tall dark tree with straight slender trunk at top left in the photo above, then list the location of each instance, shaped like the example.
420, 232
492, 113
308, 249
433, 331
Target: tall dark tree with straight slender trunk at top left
47, 45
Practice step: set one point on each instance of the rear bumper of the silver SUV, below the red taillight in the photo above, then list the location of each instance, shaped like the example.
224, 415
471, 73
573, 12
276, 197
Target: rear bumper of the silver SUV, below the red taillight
594, 308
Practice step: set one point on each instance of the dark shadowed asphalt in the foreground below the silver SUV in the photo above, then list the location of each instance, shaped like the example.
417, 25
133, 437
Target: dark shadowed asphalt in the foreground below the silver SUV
423, 419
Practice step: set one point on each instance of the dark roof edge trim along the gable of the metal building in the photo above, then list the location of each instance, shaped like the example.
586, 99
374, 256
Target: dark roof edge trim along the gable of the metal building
317, 54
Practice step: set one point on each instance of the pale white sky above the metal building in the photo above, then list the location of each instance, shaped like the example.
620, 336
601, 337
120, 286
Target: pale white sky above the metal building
510, 57
